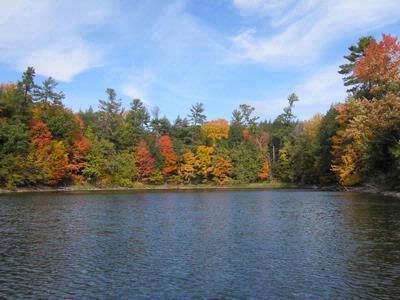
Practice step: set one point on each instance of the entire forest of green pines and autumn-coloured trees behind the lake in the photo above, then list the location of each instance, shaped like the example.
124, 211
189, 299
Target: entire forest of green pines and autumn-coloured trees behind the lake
356, 142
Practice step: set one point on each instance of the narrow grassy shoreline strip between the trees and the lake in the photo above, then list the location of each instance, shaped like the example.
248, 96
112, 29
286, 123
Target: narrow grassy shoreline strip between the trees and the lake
173, 187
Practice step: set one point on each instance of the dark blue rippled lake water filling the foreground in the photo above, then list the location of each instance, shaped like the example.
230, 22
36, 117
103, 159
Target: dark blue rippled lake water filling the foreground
218, 245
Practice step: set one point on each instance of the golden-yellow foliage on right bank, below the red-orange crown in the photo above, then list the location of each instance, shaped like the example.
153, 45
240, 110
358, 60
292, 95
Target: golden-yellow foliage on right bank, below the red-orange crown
361, 122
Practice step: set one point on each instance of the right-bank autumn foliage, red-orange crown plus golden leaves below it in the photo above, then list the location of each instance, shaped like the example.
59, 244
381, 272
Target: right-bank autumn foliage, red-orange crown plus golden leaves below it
366, 125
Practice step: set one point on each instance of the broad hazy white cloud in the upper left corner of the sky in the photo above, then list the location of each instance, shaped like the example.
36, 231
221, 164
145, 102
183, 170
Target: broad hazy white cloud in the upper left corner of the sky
51, 36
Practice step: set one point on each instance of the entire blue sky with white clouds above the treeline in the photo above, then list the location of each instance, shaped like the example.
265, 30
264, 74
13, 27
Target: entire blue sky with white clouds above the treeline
172, 54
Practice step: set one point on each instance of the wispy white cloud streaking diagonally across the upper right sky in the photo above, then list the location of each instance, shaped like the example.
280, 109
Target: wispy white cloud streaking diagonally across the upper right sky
308, 27
